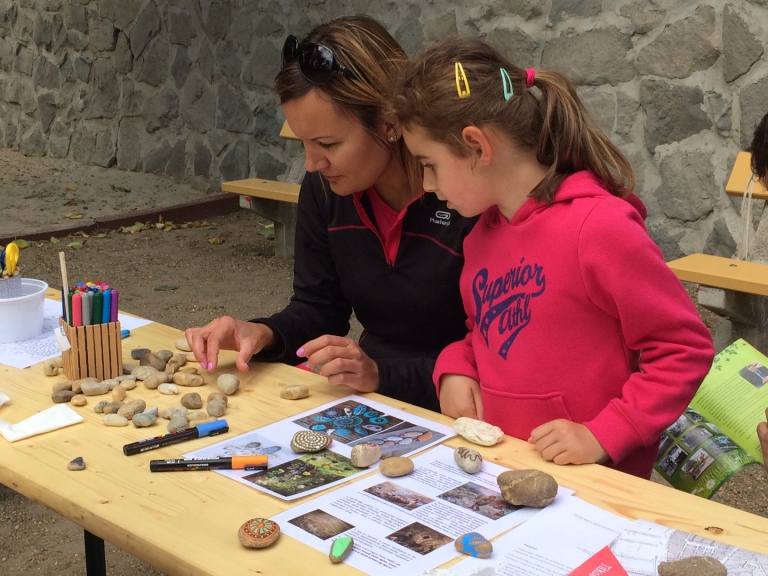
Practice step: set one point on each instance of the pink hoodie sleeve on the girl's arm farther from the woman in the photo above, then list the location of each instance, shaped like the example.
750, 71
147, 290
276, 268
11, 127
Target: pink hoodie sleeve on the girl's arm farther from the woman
625, 275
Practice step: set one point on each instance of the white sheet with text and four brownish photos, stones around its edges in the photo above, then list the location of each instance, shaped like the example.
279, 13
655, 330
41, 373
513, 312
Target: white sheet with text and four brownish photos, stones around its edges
407, 525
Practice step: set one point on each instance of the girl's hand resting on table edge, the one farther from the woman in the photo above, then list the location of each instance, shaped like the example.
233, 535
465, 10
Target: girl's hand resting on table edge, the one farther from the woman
565, 442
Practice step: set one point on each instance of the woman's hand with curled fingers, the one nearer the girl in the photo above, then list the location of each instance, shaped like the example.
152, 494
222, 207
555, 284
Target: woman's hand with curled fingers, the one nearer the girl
342, 361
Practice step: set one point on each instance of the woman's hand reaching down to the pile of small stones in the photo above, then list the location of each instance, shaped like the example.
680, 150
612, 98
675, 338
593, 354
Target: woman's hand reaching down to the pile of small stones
226, 333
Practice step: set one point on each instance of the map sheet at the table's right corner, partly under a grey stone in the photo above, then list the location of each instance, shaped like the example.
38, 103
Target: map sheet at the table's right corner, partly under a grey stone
644, 545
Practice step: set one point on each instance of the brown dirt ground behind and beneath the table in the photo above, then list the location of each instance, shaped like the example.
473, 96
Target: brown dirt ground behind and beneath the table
183, 275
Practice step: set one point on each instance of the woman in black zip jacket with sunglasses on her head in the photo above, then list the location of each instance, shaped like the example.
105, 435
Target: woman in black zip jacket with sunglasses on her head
367, 238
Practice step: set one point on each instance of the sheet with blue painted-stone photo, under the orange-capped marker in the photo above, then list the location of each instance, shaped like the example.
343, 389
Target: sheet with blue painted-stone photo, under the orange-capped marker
351, 420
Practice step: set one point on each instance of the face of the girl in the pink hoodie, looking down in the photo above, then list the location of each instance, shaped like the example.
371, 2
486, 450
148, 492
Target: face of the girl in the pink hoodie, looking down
449, 176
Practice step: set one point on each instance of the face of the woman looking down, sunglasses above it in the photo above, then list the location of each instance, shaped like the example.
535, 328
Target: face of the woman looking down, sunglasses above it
337, 145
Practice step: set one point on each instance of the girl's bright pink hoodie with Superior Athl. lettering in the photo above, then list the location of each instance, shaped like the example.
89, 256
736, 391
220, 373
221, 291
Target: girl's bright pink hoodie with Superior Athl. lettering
574, 314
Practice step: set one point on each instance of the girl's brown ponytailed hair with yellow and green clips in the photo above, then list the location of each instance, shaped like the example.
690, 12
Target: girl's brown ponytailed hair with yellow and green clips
555, 125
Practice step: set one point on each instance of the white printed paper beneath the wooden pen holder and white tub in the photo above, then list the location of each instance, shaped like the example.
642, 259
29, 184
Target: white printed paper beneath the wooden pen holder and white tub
28, 352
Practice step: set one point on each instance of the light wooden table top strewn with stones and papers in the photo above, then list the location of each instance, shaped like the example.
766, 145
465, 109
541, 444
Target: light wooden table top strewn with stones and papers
186, 523
